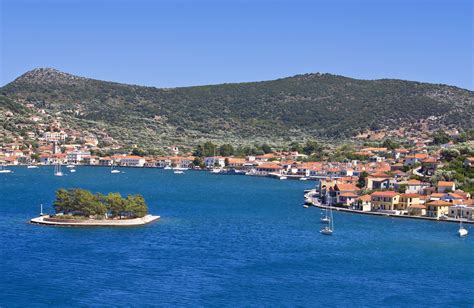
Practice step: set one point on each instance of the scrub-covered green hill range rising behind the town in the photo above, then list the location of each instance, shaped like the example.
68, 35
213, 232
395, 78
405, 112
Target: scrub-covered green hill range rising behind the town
316, 105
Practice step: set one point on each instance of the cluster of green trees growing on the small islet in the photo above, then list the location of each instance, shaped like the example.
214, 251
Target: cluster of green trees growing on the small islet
81, 202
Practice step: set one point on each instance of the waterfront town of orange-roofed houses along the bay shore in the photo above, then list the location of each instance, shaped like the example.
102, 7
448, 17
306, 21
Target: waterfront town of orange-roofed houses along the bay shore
424, 177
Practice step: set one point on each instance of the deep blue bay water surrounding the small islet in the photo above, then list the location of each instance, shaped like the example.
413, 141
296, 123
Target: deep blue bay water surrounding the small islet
222, 240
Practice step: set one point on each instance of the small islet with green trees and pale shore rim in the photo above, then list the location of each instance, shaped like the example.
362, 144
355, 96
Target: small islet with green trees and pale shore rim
79, 207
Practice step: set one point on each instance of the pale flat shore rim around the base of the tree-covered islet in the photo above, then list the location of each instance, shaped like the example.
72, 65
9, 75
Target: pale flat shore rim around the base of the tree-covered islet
46, 220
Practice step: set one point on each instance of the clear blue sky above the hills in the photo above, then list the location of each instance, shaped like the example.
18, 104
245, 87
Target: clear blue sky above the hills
180, 43
